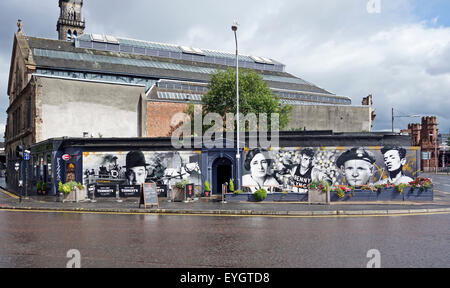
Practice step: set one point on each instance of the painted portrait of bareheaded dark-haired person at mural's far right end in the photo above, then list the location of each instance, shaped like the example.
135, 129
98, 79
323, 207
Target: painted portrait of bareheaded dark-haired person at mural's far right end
395, 159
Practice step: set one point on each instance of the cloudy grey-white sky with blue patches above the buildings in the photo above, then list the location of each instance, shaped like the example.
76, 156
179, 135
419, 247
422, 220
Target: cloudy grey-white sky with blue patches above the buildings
400, 55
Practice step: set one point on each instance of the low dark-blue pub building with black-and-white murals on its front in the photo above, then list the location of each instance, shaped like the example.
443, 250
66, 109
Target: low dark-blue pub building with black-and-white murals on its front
116, 167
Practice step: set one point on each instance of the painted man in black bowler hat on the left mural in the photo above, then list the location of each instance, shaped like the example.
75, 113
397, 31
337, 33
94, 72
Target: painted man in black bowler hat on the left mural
136, 168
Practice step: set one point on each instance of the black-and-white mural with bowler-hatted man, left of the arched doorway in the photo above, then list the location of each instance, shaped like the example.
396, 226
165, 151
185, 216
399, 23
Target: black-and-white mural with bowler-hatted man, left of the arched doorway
138, 167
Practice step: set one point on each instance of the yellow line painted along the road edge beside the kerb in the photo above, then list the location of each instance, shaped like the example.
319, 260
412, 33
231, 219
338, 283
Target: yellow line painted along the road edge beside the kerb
224, 215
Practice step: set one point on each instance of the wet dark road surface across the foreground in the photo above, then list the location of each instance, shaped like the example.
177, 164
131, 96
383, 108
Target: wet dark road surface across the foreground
43, 239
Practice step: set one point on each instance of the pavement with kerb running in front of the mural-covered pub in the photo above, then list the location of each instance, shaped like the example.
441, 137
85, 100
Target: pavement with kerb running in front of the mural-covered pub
208, 206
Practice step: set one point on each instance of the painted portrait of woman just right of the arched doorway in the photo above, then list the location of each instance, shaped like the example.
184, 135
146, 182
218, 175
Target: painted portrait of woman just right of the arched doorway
258, 162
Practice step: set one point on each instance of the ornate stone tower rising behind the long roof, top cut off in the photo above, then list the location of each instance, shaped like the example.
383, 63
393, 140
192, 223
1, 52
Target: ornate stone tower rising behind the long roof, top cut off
70, 24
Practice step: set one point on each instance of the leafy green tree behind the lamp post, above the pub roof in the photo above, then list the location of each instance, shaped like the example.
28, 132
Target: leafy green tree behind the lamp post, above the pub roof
255, 96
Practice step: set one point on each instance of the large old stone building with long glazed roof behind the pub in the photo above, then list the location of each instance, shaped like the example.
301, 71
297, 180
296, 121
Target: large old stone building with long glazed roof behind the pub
104, 86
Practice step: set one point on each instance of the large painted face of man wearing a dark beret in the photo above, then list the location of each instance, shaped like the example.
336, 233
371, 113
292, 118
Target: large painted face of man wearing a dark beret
357, 166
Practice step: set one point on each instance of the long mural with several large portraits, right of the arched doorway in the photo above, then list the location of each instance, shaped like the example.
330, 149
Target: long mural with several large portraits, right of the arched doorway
292, 169
